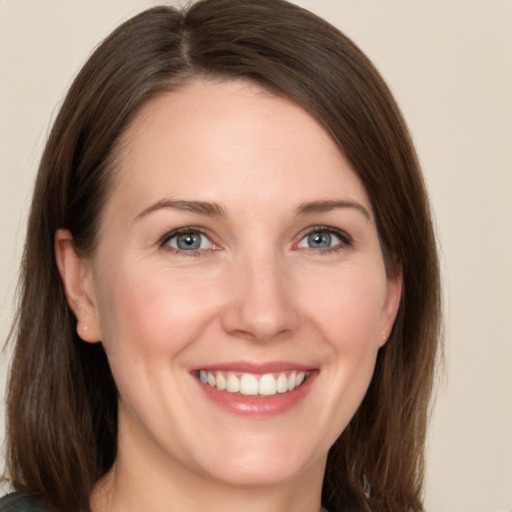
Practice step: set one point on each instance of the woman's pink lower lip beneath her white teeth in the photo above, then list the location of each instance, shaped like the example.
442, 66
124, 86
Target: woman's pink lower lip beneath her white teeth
259, 406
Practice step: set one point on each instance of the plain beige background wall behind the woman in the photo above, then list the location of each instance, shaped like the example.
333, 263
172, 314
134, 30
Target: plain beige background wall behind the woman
449, 63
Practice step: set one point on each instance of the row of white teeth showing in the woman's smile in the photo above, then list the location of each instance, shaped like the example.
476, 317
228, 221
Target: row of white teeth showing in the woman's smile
250, 384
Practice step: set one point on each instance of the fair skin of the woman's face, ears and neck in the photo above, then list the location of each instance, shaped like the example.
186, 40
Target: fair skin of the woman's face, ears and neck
256, 291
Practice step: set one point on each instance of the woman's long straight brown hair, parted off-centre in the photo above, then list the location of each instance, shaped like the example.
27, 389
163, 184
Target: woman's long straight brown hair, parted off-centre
62, 400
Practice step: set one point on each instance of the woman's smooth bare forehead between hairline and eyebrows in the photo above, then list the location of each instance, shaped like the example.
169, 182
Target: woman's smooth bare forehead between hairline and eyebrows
216, 140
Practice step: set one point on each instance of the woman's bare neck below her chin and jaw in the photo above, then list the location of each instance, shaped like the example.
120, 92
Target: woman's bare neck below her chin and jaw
143, 479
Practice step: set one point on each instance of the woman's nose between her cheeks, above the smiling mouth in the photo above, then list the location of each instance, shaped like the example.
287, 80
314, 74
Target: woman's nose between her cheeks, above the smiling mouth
261, 304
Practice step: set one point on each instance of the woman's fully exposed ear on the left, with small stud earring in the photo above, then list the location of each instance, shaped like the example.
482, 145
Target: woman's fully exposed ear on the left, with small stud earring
76, 275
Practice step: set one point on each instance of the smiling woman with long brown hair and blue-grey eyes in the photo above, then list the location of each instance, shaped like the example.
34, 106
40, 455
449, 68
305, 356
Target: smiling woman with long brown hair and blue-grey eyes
230, 292
